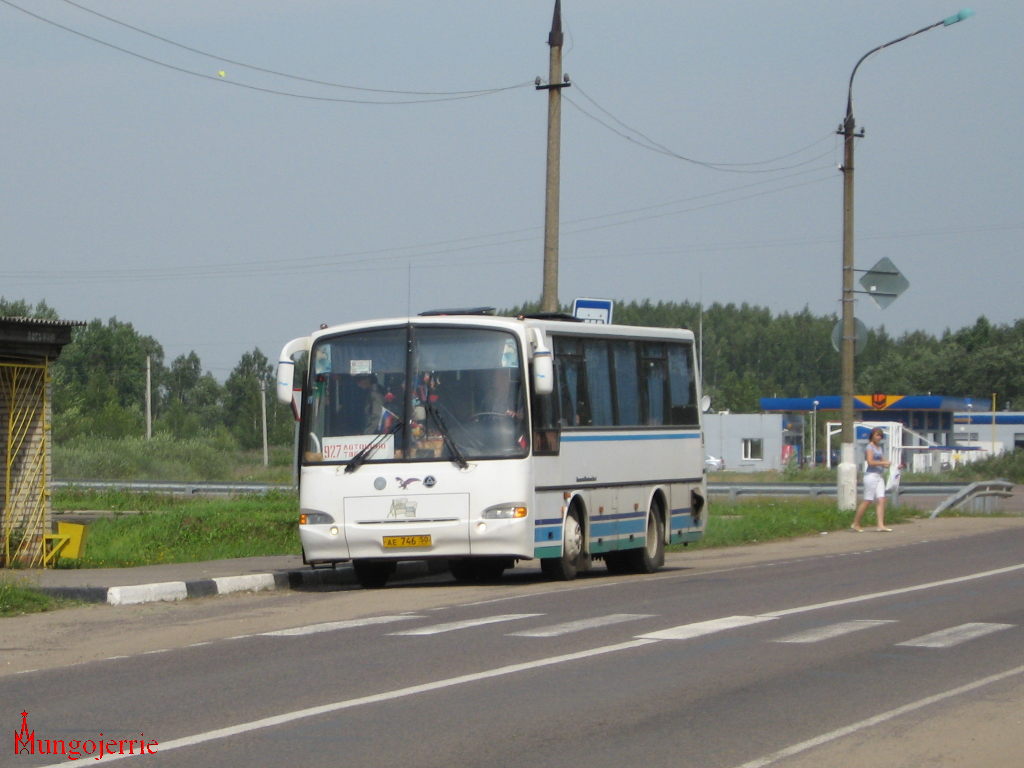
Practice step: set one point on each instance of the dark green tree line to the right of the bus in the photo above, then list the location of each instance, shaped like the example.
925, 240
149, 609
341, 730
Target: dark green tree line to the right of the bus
749, 353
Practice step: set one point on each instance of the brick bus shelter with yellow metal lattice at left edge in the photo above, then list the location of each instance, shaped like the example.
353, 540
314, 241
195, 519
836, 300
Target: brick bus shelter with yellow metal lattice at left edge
28, 349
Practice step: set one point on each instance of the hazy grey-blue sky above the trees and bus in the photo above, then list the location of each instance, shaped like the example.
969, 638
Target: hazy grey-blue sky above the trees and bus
197, 169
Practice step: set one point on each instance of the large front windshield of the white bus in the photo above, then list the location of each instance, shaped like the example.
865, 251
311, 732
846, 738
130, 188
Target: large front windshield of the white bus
409, 394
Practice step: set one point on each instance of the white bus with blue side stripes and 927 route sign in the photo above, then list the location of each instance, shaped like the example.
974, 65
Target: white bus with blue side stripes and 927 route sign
483, 441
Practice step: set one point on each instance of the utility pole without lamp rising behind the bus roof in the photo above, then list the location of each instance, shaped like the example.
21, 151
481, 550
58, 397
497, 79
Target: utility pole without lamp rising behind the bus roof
549, 298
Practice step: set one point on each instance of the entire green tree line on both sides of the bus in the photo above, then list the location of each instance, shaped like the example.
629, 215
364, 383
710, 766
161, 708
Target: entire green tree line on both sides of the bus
748, 353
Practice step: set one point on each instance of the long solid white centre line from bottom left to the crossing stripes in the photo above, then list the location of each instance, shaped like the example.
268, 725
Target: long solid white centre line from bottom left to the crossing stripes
412, 691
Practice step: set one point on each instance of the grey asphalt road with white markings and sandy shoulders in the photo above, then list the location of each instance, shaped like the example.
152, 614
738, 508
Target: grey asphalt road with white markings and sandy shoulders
843, 651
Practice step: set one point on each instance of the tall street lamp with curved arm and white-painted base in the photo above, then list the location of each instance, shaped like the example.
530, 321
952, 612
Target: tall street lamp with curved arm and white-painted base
847, 477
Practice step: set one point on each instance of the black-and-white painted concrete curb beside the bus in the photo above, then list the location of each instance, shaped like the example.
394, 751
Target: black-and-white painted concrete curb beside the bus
183, 590
